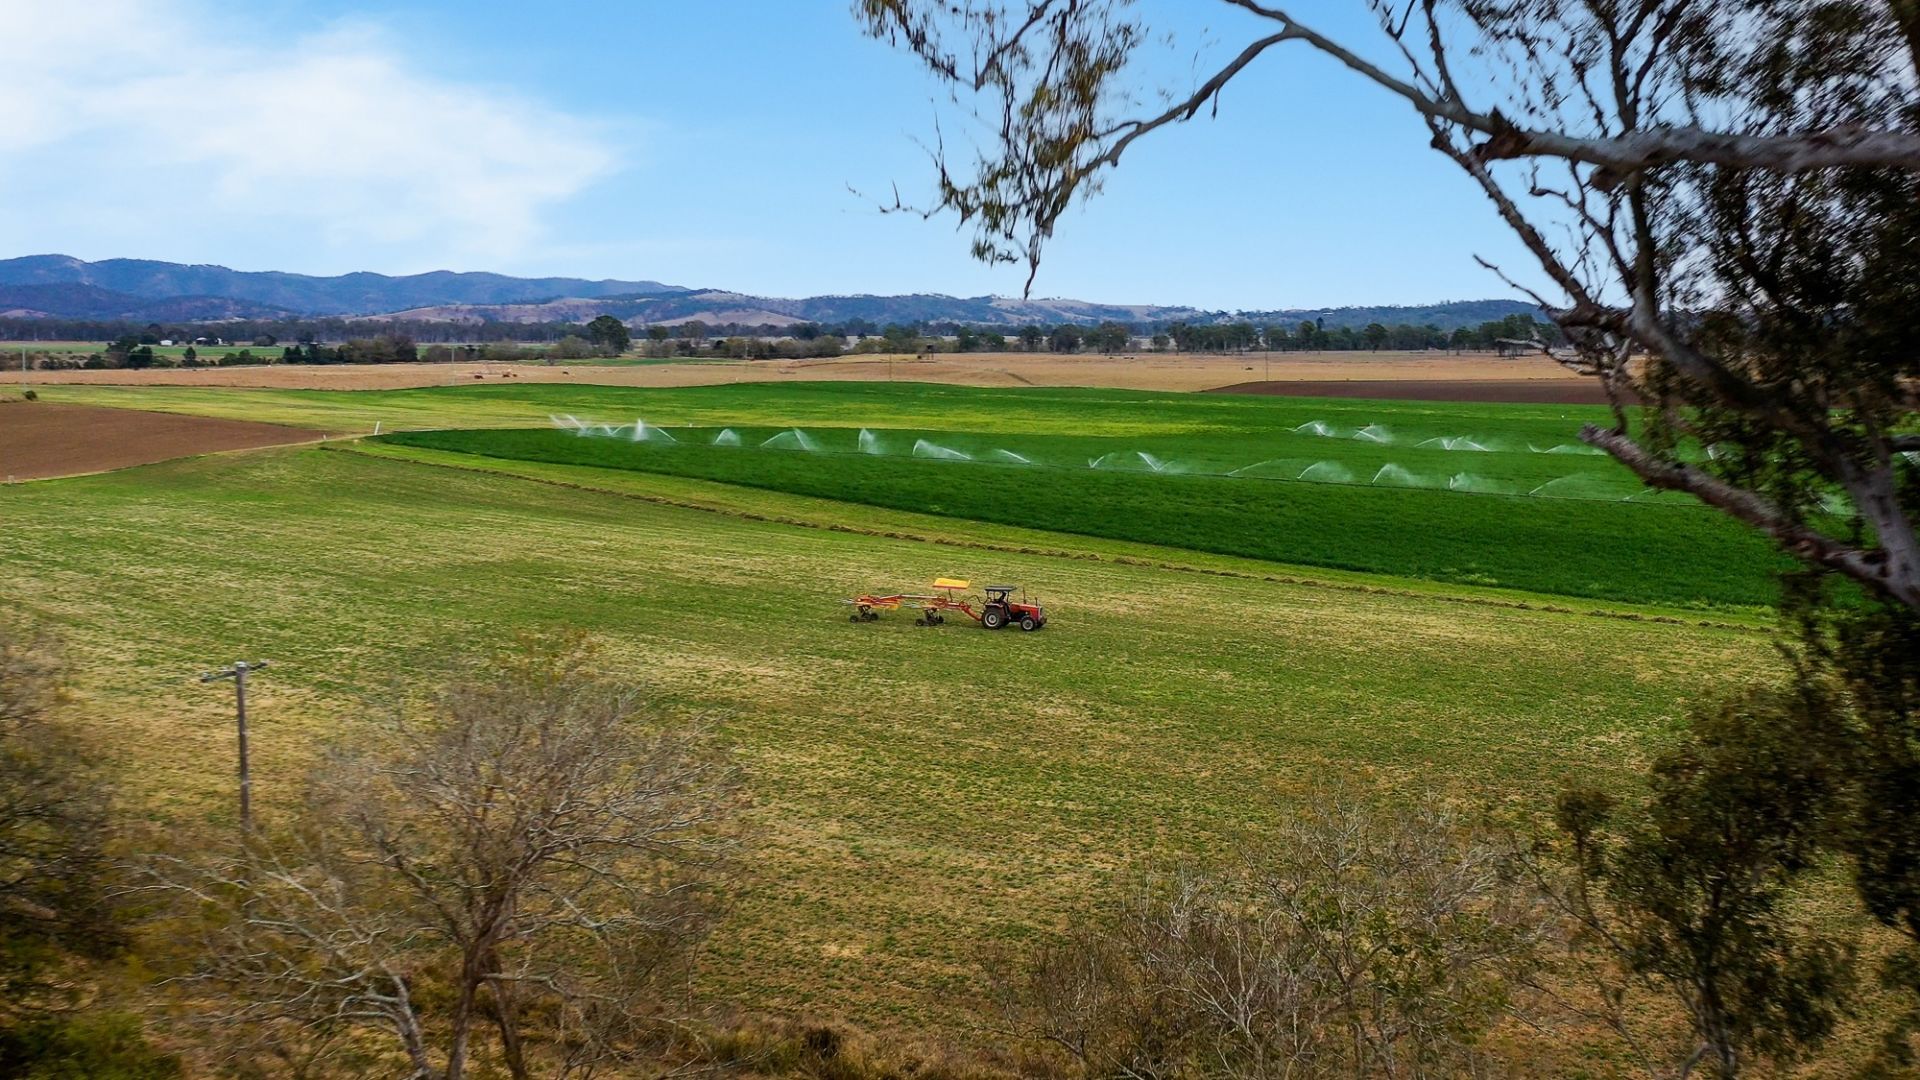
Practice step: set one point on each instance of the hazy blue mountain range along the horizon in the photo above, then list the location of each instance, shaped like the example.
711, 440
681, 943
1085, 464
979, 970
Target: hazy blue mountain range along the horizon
145, 291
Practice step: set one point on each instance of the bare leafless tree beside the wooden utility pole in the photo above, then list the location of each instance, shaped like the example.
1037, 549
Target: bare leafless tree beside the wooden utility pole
516, 871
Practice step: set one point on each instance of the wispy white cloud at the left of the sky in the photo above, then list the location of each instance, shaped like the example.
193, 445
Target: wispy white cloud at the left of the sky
126, 124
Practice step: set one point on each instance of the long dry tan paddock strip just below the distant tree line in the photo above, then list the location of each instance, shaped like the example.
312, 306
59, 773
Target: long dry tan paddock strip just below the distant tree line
1143, 372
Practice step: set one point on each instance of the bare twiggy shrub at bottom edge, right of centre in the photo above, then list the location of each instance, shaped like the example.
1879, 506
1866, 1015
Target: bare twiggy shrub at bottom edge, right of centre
1355, 943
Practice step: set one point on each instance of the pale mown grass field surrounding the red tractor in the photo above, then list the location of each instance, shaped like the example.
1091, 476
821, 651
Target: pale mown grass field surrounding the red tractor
921, 793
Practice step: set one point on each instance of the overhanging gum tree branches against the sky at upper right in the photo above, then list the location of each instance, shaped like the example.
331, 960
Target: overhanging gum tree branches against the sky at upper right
1721, 195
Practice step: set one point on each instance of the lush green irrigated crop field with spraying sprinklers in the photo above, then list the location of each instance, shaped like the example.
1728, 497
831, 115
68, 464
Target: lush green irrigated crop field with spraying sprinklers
1454, 493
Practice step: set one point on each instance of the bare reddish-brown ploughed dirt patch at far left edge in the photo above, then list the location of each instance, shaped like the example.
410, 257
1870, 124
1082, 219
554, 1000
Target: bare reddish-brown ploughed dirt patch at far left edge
41, 439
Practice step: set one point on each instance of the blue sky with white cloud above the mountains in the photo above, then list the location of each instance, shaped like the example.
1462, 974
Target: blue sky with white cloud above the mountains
698, 143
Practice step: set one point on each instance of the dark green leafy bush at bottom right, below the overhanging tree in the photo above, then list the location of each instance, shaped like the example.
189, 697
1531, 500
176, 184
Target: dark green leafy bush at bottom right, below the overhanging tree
1691, 893
